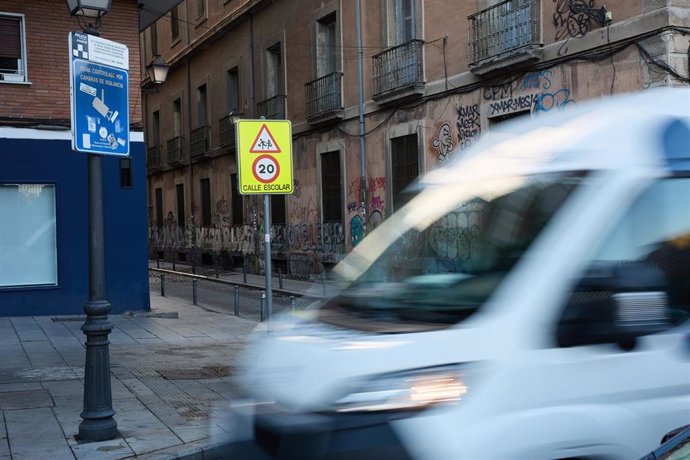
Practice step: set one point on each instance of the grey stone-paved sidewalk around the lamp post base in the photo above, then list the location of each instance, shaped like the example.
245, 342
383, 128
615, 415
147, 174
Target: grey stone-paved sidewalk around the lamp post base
170, 376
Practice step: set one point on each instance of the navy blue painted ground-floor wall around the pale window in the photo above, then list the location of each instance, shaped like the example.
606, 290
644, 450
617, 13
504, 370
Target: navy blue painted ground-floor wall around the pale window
54, 162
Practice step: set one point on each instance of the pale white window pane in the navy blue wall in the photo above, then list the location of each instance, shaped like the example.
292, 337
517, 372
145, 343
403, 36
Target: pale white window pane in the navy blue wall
28, 250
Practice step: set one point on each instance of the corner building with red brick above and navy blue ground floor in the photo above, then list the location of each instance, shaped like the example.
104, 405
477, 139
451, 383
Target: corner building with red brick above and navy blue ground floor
44, 264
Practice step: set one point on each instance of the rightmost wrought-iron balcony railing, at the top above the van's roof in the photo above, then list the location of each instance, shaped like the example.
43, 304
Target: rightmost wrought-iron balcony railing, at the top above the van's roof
504, 28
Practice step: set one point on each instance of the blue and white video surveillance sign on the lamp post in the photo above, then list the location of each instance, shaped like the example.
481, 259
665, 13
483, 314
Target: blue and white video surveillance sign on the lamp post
99, 93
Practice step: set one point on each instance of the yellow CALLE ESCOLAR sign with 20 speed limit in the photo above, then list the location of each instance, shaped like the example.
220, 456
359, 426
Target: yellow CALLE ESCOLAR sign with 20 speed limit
264, 156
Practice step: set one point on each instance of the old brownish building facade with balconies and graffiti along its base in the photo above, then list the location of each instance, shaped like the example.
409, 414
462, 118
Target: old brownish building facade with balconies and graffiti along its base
375, 100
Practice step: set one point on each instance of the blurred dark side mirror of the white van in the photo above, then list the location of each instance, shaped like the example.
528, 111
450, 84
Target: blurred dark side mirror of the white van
615, 303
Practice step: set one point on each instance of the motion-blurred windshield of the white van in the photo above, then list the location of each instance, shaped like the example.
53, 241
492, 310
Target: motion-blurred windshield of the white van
438, 259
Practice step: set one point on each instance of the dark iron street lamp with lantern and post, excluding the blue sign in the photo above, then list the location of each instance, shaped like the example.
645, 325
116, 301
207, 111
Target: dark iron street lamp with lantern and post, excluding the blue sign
97, 423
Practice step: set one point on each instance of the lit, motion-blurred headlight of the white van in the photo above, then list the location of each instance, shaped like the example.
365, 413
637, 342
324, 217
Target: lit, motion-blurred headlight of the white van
407, 390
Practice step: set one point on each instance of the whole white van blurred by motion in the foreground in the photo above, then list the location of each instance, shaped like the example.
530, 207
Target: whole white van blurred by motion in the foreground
531, 301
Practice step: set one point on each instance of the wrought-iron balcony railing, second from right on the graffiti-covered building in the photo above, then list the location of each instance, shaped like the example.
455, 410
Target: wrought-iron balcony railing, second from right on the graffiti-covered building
398, 67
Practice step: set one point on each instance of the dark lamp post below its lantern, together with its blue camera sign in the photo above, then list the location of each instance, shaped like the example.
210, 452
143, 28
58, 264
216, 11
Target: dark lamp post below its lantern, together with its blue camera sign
99, 96
